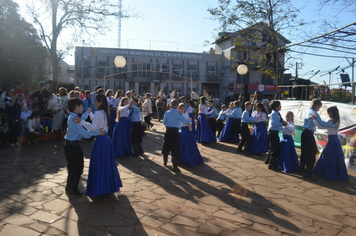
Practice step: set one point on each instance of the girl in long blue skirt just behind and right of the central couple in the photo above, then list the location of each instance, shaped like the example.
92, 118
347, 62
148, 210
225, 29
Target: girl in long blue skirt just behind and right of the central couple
204, 133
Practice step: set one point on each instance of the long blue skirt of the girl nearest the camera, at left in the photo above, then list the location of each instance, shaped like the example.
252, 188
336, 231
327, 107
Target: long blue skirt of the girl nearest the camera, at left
103, 176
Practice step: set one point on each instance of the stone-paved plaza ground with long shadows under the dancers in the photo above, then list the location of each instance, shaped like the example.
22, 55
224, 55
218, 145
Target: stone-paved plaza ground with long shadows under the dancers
156, 201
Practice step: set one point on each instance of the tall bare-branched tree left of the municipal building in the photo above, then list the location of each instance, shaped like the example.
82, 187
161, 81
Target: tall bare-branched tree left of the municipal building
52, 17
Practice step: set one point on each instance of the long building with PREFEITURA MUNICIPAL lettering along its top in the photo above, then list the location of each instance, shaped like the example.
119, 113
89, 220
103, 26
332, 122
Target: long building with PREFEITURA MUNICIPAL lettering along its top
149, 70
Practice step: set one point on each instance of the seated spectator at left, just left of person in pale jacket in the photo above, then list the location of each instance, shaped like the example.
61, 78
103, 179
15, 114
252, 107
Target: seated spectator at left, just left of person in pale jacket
33, 127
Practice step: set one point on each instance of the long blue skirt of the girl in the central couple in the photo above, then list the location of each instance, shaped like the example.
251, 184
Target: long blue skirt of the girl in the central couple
188, 149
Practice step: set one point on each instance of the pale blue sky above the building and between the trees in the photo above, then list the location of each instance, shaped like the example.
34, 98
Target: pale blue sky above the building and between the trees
185, 25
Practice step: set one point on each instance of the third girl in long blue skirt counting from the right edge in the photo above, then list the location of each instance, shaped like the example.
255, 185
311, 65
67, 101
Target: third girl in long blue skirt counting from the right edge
259, 142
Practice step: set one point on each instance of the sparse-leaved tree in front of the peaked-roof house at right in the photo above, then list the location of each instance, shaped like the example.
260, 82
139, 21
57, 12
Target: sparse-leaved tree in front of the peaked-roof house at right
260, 23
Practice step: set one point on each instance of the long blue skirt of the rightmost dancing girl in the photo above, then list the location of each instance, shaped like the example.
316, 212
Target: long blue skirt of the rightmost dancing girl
331, 163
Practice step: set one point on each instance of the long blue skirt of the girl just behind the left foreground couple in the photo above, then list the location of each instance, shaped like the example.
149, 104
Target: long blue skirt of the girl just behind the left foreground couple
121, 138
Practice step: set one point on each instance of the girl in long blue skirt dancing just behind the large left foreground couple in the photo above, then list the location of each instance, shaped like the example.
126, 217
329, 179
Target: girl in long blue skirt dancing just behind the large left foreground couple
122, 132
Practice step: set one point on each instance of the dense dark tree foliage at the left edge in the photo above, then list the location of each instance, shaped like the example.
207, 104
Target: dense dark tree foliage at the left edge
22, 55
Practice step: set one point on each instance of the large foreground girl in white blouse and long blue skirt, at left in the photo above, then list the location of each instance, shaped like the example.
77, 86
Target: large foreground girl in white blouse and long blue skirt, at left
103, 176
